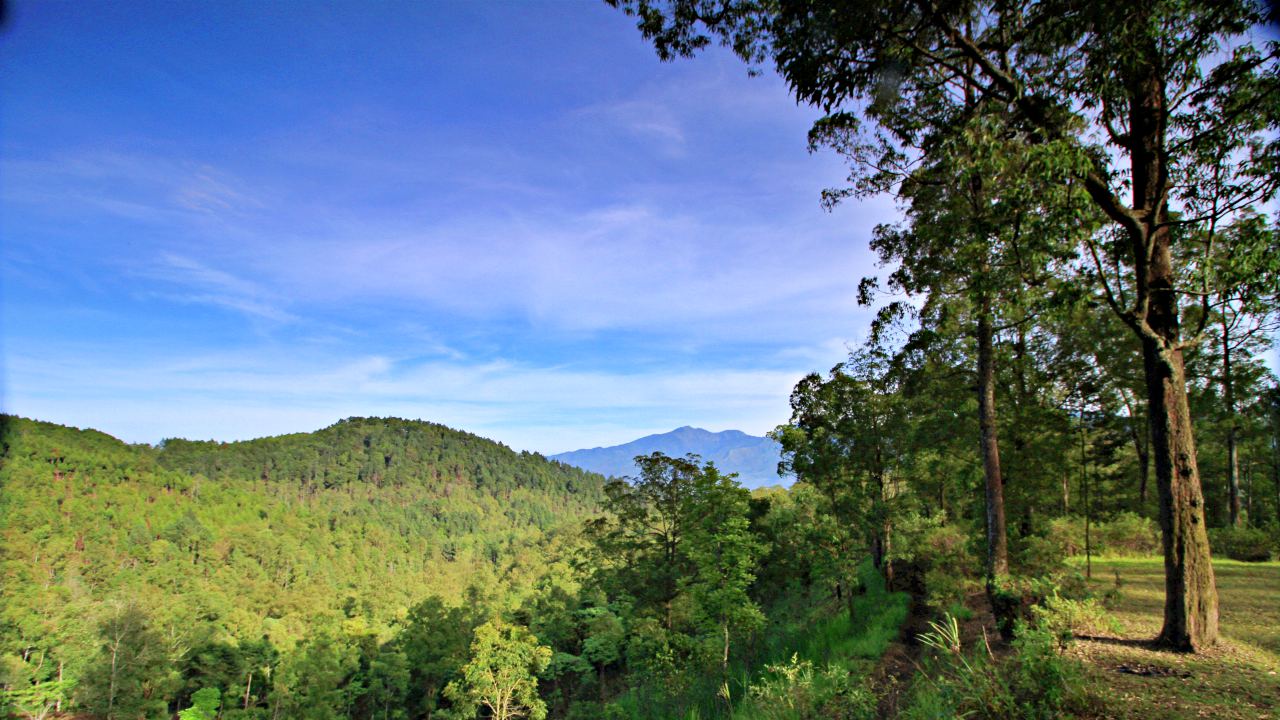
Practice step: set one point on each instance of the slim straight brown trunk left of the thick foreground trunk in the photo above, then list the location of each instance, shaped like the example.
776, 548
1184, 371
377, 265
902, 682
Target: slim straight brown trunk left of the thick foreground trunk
998, 544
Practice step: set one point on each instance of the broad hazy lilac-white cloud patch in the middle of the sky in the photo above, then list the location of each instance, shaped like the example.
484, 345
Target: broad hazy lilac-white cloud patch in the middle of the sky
611, 268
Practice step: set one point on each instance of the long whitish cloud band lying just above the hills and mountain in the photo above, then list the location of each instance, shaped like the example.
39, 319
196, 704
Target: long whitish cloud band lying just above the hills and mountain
231, 397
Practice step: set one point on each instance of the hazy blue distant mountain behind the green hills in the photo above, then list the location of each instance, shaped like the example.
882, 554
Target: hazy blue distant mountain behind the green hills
755, 459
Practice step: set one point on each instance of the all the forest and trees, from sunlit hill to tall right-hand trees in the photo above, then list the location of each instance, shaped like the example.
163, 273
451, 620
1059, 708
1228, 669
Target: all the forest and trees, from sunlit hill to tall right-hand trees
1067, 367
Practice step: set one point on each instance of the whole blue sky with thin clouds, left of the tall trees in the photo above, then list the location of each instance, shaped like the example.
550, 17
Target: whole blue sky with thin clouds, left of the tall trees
234, 220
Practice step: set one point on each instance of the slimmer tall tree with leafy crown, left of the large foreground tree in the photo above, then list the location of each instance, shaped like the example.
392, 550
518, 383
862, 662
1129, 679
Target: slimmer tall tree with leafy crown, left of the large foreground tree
985, 227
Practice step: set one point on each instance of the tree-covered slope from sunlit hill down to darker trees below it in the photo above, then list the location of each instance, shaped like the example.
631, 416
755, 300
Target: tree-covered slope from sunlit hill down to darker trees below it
394, 569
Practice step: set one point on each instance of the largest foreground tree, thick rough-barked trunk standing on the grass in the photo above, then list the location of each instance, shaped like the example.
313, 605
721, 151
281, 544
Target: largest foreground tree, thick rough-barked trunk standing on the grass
1163, 112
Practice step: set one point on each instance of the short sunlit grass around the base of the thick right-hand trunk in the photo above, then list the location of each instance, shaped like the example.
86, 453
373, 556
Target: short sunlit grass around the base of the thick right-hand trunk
1238, 680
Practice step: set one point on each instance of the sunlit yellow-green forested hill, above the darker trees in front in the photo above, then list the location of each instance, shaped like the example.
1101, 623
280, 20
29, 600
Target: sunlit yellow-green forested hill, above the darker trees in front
267, 539
